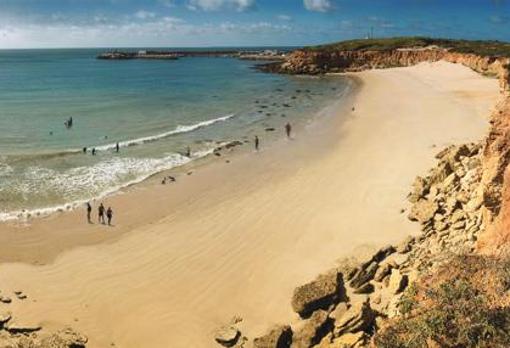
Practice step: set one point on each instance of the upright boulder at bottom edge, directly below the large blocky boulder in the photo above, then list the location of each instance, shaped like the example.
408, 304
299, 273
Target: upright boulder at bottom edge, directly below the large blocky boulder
312, 331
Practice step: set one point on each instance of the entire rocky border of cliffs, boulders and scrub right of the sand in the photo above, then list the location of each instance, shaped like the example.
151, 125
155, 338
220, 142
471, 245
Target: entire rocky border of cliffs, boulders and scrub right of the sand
462, 206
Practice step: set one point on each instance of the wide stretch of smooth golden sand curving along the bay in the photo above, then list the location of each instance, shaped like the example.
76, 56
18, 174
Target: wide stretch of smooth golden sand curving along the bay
256, 228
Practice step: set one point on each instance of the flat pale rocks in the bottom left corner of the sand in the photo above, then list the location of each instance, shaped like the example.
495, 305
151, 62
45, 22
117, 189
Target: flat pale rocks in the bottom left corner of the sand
15, 332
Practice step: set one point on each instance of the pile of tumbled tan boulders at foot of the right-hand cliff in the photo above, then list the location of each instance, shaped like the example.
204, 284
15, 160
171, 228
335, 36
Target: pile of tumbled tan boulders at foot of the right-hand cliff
346, 306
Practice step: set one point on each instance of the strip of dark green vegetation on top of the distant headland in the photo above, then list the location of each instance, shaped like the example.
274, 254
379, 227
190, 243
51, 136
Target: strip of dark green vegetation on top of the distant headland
482, 48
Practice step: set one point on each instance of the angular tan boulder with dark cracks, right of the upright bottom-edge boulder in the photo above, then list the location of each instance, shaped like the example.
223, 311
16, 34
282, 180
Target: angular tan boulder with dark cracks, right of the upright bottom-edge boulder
359, 317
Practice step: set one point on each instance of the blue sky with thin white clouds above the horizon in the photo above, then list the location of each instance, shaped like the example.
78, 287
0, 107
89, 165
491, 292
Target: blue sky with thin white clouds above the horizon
180, 23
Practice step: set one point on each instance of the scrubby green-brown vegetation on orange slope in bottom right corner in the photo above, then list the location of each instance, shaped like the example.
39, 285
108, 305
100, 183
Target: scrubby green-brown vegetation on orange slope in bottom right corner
465, 304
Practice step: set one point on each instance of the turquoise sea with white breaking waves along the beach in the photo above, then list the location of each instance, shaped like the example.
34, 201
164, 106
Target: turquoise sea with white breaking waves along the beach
154, 109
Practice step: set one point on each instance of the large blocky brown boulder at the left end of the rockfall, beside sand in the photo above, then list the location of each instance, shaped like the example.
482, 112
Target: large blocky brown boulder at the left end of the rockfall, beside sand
320, 293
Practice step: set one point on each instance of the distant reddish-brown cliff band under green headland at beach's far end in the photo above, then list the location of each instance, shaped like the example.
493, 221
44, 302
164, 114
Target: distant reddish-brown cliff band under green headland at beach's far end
313, 62
